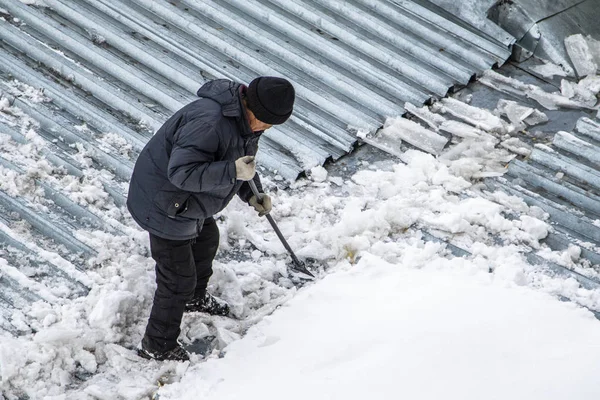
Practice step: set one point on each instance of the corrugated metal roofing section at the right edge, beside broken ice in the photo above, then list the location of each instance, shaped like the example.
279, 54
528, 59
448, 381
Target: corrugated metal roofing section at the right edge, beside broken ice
564, 180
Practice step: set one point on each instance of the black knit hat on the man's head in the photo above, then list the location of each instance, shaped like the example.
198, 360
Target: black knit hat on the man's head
271, 99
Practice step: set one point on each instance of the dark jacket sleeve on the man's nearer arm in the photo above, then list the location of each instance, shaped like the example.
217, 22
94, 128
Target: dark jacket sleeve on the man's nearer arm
192, 166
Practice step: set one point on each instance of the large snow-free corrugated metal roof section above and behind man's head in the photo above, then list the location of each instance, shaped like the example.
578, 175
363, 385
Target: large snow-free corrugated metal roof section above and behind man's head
353, 63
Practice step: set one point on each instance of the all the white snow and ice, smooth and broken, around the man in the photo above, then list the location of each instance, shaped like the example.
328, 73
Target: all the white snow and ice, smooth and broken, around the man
391, 314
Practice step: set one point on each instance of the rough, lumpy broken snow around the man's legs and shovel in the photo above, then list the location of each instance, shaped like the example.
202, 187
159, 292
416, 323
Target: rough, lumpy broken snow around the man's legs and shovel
378, 214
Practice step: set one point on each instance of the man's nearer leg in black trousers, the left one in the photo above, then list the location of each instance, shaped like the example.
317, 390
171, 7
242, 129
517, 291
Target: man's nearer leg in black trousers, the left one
176, 281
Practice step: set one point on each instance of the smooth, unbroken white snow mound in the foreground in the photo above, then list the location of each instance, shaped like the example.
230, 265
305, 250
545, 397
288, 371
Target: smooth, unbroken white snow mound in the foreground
423, 327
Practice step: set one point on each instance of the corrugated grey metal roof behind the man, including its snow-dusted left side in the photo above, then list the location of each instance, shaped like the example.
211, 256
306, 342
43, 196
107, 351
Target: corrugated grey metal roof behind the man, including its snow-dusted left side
123, 67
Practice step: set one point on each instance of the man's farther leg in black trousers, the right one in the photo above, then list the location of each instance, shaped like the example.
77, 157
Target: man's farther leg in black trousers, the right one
204, 251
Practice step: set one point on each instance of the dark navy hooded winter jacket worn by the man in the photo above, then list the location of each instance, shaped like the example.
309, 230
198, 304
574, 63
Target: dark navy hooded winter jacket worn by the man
186, 172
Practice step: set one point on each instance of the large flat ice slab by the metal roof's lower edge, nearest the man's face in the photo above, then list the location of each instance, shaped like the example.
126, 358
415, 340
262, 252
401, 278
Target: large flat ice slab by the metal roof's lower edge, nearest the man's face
413, 133
